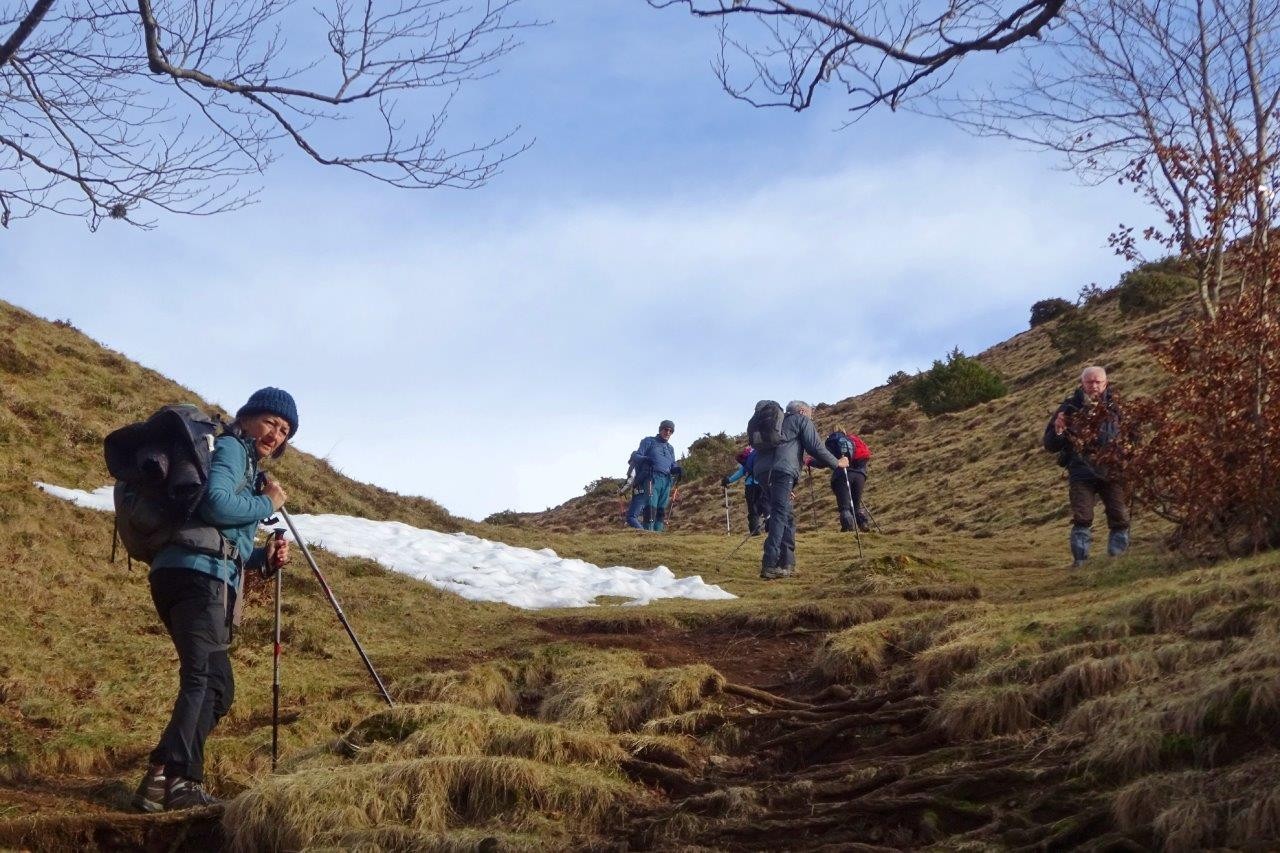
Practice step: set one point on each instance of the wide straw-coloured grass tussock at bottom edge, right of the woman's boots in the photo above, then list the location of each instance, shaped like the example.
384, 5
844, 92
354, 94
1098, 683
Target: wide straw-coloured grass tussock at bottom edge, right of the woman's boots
424, 797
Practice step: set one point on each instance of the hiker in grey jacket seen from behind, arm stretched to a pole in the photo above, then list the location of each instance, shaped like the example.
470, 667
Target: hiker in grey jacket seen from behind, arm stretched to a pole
779, 471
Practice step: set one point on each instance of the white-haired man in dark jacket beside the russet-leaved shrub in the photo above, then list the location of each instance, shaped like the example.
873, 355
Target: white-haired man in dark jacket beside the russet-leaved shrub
1090, 480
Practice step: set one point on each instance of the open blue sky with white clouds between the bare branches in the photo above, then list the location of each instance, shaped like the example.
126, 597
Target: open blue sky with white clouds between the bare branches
661, 252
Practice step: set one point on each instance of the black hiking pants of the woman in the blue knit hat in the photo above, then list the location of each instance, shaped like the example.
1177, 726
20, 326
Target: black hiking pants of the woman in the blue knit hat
196, 610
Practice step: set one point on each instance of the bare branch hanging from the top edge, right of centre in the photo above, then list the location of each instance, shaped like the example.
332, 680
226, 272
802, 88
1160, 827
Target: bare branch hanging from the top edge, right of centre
880, 53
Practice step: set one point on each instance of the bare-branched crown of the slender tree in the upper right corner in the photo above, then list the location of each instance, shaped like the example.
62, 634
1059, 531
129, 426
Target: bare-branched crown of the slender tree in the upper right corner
1177, 98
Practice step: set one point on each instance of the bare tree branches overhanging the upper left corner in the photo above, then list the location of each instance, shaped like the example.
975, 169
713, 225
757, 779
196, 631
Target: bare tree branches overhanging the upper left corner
127, 108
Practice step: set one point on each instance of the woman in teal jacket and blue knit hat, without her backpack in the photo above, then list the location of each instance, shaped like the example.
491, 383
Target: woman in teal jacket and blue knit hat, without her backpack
198, 596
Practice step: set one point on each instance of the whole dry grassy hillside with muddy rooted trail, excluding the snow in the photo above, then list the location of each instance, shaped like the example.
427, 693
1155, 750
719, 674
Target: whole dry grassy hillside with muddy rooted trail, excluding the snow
956, 688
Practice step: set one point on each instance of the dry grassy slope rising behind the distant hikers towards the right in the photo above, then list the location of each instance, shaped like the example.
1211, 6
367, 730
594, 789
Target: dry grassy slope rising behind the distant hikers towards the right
975, 472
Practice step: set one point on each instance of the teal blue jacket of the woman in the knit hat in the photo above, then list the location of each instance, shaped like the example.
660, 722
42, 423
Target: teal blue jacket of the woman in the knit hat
231, 507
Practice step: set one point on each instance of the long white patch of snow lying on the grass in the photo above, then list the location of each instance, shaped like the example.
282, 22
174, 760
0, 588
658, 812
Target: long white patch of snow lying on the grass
470, 567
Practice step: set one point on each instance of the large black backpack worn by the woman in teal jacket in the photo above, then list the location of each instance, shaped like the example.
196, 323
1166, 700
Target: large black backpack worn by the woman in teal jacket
162, 471
